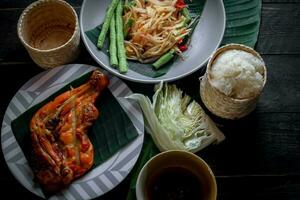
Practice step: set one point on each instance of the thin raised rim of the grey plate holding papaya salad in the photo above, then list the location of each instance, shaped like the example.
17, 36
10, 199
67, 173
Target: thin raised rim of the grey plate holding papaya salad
153, 80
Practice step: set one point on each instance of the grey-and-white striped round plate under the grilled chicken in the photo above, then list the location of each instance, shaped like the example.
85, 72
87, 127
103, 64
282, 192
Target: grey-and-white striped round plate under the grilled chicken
99, 180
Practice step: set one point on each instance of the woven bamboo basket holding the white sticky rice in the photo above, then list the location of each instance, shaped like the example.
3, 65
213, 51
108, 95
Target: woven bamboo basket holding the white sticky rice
217, 102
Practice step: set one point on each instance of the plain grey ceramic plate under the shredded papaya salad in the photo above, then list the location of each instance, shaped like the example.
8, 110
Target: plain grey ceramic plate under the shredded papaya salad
205, 40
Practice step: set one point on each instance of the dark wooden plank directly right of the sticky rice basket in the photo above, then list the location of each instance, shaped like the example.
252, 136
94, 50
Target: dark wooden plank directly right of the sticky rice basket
282, 91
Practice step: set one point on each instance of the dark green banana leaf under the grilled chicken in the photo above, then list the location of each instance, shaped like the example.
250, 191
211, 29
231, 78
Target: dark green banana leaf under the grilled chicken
109, 133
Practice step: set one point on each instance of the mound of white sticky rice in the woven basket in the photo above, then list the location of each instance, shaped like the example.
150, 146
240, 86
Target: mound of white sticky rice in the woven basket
238, 74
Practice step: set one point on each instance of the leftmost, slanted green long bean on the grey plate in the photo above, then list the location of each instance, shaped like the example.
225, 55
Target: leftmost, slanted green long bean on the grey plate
107, 19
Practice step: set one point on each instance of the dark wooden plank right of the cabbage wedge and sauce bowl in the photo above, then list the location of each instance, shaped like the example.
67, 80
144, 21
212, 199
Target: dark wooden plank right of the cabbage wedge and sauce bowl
257, 145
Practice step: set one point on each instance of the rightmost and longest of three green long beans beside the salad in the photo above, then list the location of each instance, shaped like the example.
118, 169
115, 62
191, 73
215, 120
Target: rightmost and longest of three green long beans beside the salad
123, 67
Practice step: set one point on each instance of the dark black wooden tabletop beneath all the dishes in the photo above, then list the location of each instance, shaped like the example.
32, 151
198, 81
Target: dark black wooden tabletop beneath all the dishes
260, 158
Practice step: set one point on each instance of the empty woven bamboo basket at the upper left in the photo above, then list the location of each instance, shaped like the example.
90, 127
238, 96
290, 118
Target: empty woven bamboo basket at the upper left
49, 31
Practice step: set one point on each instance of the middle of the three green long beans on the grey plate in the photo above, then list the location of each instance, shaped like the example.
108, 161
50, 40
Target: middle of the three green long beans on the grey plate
113, 43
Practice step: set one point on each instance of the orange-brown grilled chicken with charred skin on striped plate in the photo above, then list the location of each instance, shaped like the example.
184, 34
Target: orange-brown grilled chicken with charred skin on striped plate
60, 143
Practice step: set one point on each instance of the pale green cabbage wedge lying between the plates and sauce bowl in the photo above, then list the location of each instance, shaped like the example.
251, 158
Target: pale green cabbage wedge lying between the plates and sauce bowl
176, 122
